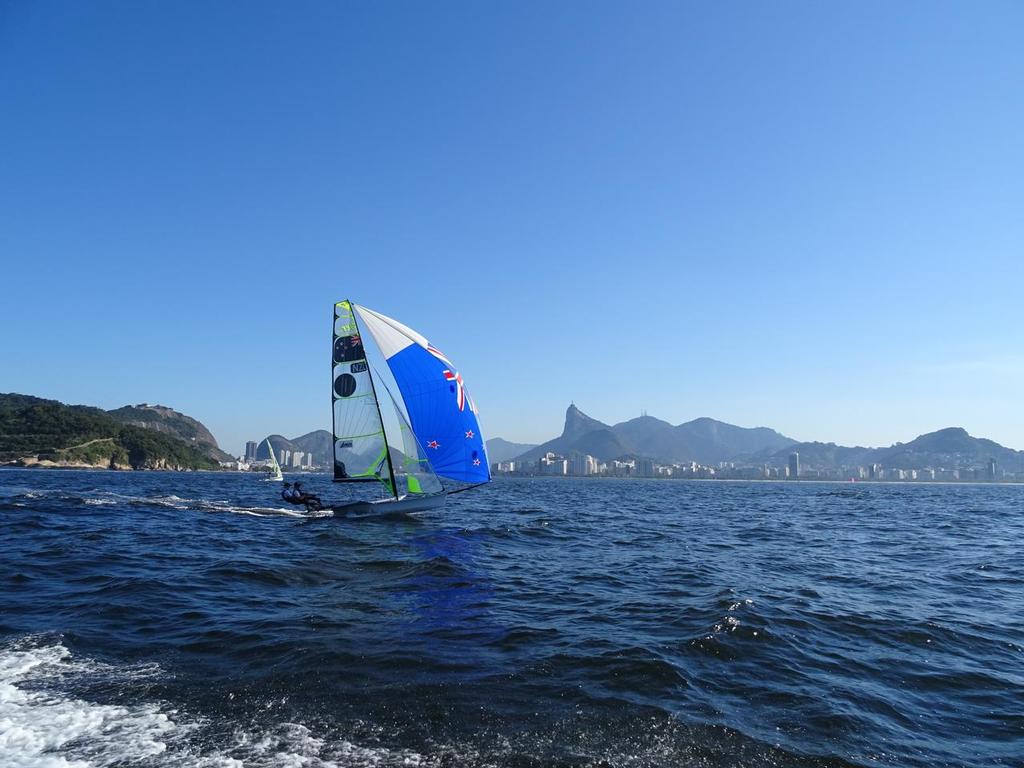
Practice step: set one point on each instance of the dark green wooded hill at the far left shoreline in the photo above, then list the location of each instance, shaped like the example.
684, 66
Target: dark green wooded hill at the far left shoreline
40, 433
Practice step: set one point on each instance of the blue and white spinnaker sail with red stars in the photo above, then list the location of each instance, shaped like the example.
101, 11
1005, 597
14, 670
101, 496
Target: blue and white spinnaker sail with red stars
441, 411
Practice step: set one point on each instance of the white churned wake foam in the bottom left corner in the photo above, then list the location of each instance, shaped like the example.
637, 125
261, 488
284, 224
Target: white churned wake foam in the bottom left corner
44, 727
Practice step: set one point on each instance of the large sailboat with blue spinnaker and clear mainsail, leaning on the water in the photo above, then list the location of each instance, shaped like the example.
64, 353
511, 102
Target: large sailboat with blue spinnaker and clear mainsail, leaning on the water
441, 439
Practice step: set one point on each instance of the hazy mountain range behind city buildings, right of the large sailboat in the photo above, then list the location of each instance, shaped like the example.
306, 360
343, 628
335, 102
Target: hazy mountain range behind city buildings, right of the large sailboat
709, 442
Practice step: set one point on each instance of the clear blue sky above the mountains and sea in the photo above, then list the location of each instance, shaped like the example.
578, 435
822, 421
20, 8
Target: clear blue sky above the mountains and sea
803, 216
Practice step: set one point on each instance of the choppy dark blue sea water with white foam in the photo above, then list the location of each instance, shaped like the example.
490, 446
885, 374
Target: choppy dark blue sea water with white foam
182, 620
